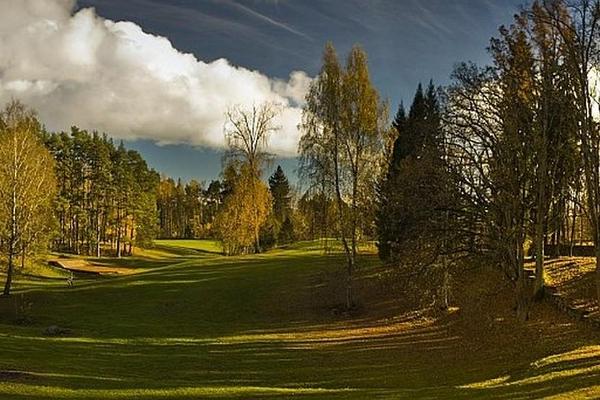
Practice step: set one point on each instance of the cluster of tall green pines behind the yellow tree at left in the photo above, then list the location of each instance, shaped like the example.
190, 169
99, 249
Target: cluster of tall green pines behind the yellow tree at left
106, 195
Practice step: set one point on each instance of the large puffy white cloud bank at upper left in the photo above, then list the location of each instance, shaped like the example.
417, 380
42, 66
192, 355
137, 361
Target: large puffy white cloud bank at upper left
85, 70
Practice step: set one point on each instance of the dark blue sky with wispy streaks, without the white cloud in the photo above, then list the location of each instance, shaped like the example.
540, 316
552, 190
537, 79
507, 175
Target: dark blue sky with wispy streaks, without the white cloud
408, 41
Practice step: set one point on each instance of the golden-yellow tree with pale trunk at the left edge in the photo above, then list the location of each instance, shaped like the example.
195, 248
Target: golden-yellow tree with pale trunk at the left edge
27, 185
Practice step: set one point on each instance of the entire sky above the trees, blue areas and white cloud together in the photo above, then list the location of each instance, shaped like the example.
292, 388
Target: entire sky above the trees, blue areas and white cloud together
160, 74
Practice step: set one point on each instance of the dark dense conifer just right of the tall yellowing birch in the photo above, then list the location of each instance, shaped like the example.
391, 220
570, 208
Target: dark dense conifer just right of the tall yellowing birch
415, 196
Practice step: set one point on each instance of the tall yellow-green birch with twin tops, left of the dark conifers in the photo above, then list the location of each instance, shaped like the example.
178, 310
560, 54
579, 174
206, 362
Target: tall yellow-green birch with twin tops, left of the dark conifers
342, 140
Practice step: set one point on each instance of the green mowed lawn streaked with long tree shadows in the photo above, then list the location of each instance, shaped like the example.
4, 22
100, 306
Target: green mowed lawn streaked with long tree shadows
195, 324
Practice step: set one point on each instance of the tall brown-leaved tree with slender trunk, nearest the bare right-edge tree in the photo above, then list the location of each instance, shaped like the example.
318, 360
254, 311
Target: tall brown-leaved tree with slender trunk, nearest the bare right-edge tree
553, 139
